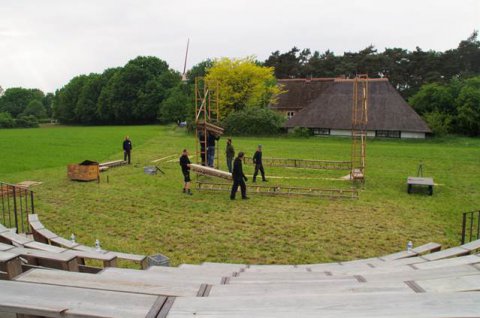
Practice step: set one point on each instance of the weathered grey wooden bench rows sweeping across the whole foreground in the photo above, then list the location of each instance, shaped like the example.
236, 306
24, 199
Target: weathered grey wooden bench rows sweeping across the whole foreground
404, 284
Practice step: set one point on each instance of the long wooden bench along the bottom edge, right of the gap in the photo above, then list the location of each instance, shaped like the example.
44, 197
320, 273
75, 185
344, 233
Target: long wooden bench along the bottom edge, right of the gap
330, 306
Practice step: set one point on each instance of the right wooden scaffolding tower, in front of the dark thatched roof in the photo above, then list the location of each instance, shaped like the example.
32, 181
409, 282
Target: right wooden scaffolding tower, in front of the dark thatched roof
359, 127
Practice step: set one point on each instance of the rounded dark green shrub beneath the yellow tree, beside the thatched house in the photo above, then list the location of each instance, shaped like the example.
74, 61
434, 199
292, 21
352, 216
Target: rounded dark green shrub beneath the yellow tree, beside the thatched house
253, 121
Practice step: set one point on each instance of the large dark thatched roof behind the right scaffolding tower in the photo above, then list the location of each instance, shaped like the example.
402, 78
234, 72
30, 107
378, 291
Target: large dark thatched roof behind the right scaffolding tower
332, 109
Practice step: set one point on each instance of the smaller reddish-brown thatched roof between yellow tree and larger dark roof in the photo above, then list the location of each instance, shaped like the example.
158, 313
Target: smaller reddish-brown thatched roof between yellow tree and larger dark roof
300, 92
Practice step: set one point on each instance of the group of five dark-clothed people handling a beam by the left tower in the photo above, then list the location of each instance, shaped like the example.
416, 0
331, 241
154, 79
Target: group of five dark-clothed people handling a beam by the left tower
235, 167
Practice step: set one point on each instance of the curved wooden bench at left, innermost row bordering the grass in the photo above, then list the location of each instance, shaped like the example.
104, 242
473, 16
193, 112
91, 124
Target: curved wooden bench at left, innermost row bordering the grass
43, 235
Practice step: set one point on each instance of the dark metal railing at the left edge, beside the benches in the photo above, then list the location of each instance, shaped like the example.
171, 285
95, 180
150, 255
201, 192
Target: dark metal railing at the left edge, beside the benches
15, 205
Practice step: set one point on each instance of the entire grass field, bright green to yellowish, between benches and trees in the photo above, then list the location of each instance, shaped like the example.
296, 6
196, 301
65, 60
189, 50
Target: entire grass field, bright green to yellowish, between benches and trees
139, 213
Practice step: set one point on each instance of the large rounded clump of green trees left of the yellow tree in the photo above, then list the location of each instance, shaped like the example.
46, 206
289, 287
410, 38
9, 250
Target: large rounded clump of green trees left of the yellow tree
133, 94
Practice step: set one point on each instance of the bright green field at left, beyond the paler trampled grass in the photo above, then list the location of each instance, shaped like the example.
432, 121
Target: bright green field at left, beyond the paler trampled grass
32, 149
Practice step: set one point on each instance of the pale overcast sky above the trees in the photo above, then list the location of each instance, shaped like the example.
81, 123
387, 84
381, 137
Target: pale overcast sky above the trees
44, 43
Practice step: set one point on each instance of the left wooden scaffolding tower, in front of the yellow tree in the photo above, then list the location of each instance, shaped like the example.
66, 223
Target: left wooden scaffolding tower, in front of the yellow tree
206, 118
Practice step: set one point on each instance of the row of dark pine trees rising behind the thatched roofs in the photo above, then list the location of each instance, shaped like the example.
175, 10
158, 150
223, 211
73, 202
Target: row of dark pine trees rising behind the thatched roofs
406, 70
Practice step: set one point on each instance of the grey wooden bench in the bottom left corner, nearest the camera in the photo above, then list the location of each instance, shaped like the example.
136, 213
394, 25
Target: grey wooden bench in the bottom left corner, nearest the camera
41, 300
